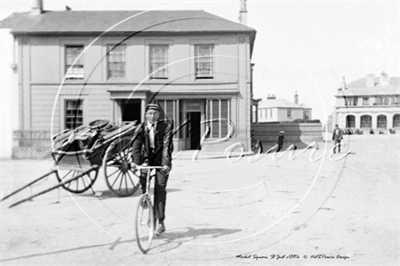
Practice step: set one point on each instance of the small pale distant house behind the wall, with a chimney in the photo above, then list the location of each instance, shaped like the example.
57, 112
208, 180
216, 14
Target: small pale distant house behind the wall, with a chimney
282, 110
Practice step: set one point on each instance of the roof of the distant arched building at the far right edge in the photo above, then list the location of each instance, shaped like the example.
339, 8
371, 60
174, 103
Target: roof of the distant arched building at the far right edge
359, 88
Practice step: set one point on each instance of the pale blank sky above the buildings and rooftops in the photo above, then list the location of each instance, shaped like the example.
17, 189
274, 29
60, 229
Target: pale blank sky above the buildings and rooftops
303, 46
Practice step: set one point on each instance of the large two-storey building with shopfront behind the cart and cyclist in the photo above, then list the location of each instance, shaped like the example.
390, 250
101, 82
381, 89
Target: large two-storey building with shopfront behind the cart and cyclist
78, 66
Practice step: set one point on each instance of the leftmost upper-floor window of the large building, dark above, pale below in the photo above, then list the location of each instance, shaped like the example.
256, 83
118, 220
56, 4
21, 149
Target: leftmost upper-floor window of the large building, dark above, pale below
74, 70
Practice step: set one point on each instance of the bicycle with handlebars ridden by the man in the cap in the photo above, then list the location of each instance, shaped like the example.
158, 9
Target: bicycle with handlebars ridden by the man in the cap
144, 225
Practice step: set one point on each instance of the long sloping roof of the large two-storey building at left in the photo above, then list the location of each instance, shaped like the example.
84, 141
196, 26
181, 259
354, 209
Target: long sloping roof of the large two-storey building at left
155, 21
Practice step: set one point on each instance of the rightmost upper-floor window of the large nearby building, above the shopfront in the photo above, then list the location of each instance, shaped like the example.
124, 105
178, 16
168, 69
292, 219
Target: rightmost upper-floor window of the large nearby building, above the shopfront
204, 65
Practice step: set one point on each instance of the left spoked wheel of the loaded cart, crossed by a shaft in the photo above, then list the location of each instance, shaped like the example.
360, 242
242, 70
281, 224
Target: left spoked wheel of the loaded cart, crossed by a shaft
79, 185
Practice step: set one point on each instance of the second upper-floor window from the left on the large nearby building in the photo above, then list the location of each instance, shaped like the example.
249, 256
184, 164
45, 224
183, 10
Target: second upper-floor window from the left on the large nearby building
116, 61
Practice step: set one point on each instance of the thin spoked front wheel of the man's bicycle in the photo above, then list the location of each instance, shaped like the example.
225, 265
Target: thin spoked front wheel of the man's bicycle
144, 223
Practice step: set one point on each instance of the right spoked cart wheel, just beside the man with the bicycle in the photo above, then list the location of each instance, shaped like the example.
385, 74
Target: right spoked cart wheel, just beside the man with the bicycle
119, 175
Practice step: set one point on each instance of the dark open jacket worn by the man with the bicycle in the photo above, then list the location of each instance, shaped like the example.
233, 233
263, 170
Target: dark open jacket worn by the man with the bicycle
162, 141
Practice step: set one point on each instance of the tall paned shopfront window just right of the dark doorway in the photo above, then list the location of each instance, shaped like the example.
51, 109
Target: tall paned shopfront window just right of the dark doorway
218, 115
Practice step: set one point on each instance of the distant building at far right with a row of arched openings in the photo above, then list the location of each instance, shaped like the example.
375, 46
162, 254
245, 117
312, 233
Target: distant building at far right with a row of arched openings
368, 103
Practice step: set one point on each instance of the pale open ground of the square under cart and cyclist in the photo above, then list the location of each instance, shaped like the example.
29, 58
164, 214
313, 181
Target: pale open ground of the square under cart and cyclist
249, 210
